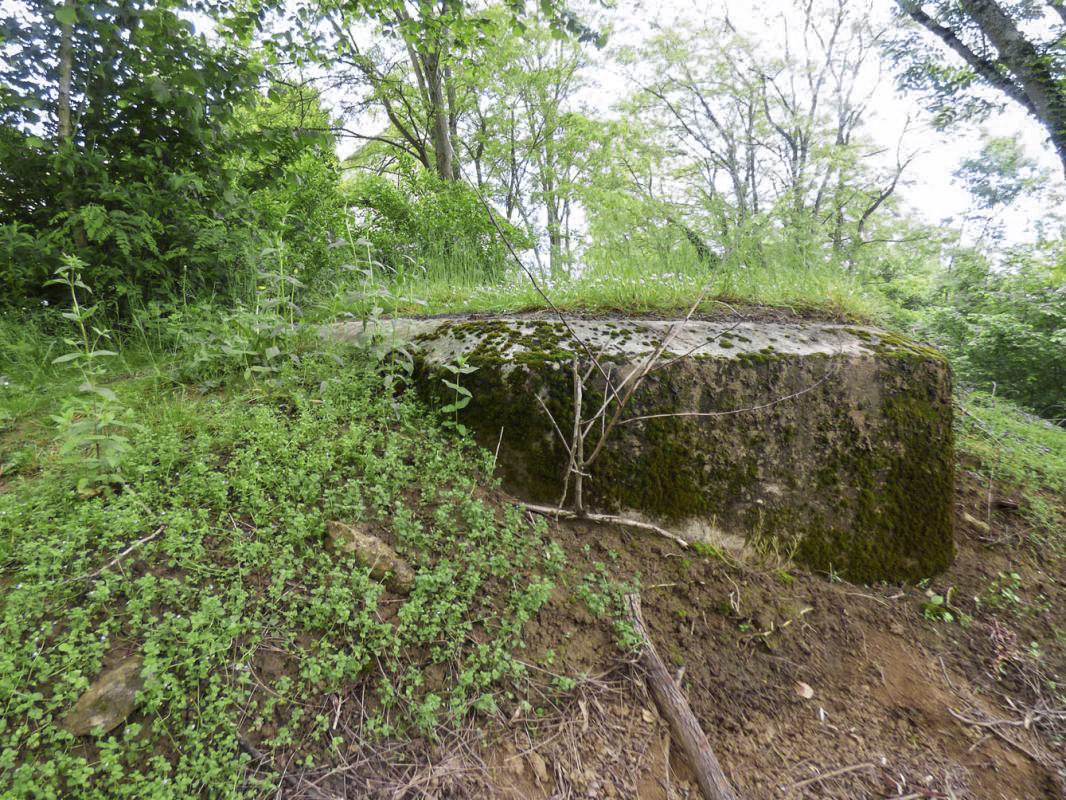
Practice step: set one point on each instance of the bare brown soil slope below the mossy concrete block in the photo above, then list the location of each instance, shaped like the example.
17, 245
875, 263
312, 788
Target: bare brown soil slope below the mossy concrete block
807, 687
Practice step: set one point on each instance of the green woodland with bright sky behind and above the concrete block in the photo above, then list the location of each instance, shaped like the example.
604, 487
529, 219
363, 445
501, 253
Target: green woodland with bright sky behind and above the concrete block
180, 172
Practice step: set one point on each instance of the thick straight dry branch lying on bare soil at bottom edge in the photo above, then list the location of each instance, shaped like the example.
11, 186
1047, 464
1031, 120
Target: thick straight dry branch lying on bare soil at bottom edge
676, 711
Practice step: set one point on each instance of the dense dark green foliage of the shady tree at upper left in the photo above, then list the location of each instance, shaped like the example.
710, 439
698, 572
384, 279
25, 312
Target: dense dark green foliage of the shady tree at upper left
154, 102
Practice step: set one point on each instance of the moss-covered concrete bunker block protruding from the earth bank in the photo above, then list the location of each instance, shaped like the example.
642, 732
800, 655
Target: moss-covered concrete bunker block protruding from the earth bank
827, 444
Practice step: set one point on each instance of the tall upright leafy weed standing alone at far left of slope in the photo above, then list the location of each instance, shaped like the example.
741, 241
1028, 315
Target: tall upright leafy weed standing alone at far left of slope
93, 424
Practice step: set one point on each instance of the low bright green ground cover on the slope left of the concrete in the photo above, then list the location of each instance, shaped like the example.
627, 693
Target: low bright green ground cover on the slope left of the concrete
238, 488
